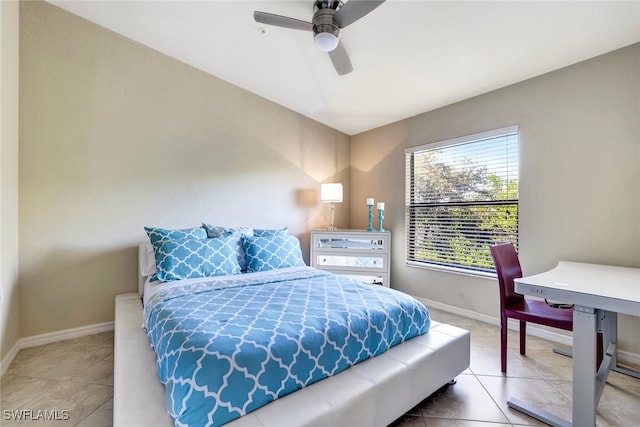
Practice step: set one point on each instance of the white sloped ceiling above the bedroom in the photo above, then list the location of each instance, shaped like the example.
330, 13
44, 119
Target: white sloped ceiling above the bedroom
408, 56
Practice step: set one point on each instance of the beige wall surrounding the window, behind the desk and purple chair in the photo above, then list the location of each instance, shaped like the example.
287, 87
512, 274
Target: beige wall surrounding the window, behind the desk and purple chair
579, 174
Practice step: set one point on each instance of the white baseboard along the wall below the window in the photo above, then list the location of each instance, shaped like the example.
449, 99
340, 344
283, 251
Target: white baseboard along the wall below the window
559, 338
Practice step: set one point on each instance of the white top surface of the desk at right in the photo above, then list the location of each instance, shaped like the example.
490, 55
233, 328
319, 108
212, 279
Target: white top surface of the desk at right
593, 285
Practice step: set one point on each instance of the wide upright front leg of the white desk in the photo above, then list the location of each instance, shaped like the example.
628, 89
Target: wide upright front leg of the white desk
584, 360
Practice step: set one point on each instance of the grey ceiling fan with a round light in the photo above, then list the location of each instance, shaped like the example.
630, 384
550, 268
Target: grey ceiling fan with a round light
329, 17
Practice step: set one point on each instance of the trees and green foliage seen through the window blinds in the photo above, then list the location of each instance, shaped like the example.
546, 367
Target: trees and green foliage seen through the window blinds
456, 213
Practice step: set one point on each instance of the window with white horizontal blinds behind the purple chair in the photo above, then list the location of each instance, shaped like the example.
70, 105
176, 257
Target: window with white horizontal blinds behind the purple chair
461, 197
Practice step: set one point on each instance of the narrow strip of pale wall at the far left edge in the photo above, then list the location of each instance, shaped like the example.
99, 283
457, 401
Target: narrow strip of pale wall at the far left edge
9, 305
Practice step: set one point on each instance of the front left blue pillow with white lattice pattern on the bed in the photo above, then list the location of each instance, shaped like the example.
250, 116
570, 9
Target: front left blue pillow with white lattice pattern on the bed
178, 259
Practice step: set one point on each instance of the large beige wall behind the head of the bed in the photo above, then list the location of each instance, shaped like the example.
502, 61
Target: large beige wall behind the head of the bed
115, 136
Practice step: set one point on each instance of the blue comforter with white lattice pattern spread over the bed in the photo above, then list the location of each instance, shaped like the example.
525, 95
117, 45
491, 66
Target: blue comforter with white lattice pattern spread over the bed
229, 345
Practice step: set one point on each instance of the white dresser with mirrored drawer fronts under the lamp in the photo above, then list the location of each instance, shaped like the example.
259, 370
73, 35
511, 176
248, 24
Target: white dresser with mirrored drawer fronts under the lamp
360, 254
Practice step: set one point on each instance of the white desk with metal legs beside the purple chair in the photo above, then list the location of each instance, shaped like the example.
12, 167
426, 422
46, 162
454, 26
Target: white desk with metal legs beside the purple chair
599, 293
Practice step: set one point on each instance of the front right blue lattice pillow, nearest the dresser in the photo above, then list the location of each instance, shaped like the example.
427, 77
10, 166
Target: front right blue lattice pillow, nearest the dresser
272, 252
